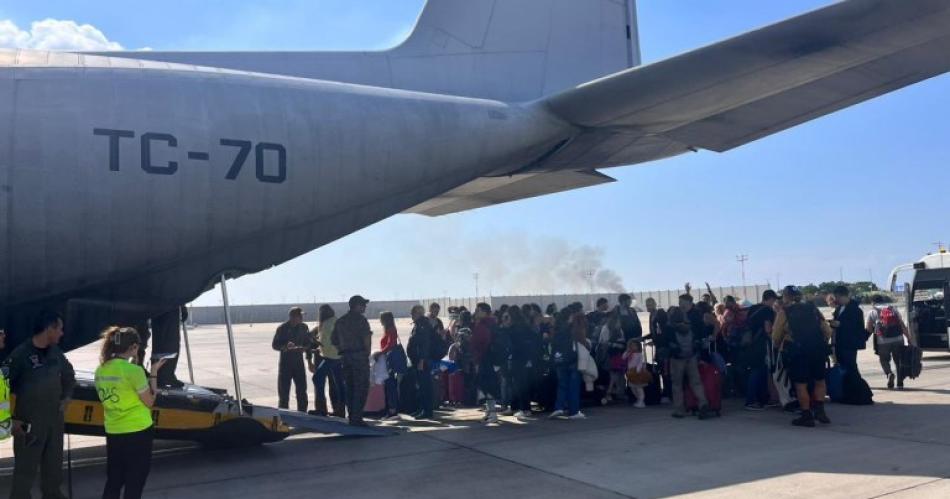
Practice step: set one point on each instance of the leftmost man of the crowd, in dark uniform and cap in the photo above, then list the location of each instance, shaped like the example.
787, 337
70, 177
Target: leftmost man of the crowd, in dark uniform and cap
292, 339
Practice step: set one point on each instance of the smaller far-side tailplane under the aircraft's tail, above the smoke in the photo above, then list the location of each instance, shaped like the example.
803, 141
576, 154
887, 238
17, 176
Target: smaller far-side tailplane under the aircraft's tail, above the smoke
487, 191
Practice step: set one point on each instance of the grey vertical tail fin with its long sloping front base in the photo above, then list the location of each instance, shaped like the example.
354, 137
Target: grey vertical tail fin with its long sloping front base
507, 50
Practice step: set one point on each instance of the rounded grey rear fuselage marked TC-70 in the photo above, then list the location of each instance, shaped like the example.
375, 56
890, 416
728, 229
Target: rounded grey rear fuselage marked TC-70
141, 185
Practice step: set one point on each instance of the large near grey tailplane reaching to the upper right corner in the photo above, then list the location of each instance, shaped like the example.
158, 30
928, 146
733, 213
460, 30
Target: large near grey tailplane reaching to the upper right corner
745, 88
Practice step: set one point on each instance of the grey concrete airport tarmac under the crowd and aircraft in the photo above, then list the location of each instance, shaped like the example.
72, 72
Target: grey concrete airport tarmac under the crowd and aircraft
899, 447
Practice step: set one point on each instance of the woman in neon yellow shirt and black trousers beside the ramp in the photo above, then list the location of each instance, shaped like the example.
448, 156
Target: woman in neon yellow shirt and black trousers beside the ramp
127, 397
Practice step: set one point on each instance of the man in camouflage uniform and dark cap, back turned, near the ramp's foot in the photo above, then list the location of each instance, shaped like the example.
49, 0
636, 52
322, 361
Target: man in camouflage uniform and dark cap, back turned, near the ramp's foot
352, 336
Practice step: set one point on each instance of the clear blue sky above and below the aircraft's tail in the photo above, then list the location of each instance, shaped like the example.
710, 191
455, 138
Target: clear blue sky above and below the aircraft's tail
853, 193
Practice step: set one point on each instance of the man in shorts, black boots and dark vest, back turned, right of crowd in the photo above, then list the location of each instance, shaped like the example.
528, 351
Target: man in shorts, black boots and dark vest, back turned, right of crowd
801, 333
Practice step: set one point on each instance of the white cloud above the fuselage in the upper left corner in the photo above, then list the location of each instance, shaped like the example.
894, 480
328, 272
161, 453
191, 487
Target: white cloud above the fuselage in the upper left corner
55, 34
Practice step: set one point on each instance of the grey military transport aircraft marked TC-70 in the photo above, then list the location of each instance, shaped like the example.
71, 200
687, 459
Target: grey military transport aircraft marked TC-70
130, 182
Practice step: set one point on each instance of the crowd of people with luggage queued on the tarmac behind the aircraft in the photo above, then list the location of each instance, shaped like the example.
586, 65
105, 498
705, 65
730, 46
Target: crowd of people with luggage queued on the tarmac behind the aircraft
523, 360
